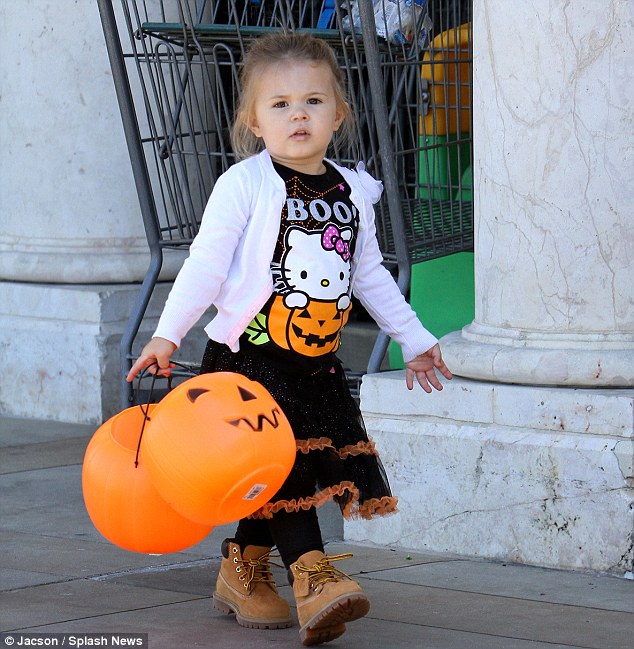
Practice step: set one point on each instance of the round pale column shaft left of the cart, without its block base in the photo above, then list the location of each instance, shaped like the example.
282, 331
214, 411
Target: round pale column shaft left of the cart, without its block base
69, 208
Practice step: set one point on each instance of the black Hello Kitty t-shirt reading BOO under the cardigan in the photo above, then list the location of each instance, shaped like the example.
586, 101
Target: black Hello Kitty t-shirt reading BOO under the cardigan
300, 325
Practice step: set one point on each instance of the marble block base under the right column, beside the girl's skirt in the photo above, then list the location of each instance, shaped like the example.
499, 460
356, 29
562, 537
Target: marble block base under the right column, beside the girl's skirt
534, 475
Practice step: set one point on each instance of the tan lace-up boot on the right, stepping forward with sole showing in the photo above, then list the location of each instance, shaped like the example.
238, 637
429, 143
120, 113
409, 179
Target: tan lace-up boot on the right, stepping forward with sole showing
326, 597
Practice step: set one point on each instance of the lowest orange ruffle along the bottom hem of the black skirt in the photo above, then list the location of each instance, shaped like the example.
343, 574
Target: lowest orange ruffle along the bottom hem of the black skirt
352, 510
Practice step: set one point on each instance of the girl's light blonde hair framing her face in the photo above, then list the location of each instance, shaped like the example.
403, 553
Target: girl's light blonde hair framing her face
275, 48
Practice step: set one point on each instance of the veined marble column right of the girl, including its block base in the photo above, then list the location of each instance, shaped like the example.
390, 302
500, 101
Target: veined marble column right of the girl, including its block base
542, 471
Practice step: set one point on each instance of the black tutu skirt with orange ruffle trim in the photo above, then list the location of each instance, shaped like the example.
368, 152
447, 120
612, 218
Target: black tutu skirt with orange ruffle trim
335, 459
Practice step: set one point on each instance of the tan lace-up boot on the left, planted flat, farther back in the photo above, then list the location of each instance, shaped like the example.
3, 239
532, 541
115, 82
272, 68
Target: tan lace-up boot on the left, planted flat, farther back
245, 587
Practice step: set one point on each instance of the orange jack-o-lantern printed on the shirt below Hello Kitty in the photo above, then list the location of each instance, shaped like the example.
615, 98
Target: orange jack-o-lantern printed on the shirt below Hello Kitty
311, 330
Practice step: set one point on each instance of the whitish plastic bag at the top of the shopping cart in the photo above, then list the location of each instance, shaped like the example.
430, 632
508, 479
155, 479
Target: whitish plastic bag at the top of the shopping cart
398, 21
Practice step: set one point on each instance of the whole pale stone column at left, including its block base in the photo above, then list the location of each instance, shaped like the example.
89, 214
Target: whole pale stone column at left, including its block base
72, 244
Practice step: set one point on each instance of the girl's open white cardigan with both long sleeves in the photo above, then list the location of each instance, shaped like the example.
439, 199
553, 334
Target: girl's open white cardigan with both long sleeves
229, 261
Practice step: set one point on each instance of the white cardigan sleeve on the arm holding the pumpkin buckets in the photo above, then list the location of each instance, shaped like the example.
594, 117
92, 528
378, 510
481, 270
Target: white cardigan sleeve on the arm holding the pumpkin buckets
203, 273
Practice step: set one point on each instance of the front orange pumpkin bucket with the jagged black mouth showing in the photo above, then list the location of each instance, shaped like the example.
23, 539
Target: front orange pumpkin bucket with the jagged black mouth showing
218, 447
